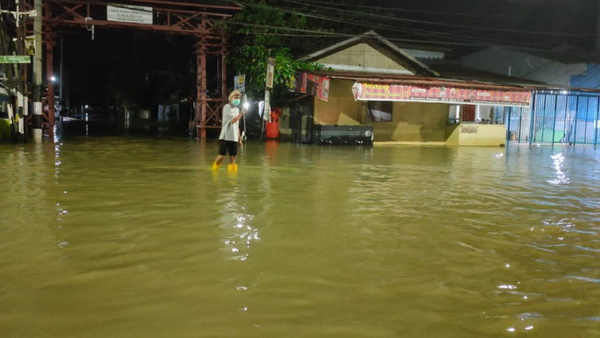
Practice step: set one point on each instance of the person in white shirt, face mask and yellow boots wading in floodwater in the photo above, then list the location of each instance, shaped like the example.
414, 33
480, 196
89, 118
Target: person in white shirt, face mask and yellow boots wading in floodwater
229, 138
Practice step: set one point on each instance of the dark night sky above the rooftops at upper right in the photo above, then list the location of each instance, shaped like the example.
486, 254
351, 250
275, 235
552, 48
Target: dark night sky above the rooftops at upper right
563, 29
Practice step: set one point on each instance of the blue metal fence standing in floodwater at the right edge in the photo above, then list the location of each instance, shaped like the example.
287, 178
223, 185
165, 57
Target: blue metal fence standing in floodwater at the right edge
556, 117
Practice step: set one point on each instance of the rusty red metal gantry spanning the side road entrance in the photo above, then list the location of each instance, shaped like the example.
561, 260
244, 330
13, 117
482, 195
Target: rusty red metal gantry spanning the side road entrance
182, 18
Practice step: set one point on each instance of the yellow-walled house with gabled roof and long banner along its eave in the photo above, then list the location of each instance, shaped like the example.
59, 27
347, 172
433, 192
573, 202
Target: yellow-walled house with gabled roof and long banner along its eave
374, 91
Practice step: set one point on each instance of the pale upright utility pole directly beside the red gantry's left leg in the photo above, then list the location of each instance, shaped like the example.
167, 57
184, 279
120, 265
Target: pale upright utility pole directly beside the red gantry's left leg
37, 74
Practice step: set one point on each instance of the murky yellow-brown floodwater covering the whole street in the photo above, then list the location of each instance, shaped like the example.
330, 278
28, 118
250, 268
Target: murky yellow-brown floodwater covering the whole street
137, 237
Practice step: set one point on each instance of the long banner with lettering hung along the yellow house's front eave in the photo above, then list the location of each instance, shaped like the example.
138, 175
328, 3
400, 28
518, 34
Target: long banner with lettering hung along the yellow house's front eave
392, 92
